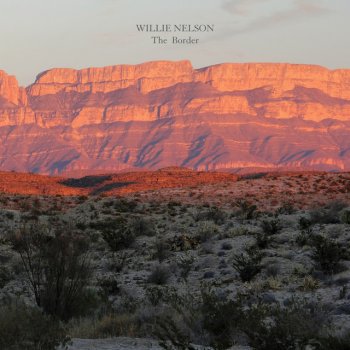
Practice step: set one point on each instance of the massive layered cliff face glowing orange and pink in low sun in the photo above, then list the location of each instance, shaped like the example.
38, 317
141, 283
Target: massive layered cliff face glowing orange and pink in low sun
158, 114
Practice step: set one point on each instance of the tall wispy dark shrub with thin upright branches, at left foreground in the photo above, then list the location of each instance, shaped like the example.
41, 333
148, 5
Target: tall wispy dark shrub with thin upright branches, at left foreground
57, 268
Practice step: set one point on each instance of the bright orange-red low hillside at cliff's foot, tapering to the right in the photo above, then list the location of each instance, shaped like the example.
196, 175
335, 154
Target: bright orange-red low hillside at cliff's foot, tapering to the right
110, 184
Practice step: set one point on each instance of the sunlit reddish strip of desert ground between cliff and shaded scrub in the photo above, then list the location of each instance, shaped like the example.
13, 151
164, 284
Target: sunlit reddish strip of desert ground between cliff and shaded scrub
304, 189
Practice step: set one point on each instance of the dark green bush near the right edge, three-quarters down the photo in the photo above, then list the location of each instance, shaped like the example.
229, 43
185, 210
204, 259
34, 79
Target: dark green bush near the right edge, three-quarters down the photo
327, 253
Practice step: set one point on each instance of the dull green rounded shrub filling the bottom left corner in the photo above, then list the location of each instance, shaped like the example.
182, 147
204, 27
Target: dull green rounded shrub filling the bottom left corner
27, 328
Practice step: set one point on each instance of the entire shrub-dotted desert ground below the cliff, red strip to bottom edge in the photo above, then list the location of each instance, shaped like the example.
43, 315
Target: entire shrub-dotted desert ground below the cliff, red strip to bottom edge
259, 261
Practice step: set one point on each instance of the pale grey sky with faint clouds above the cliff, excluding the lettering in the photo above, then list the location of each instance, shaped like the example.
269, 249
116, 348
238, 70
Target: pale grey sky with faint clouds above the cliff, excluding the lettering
36, 35
